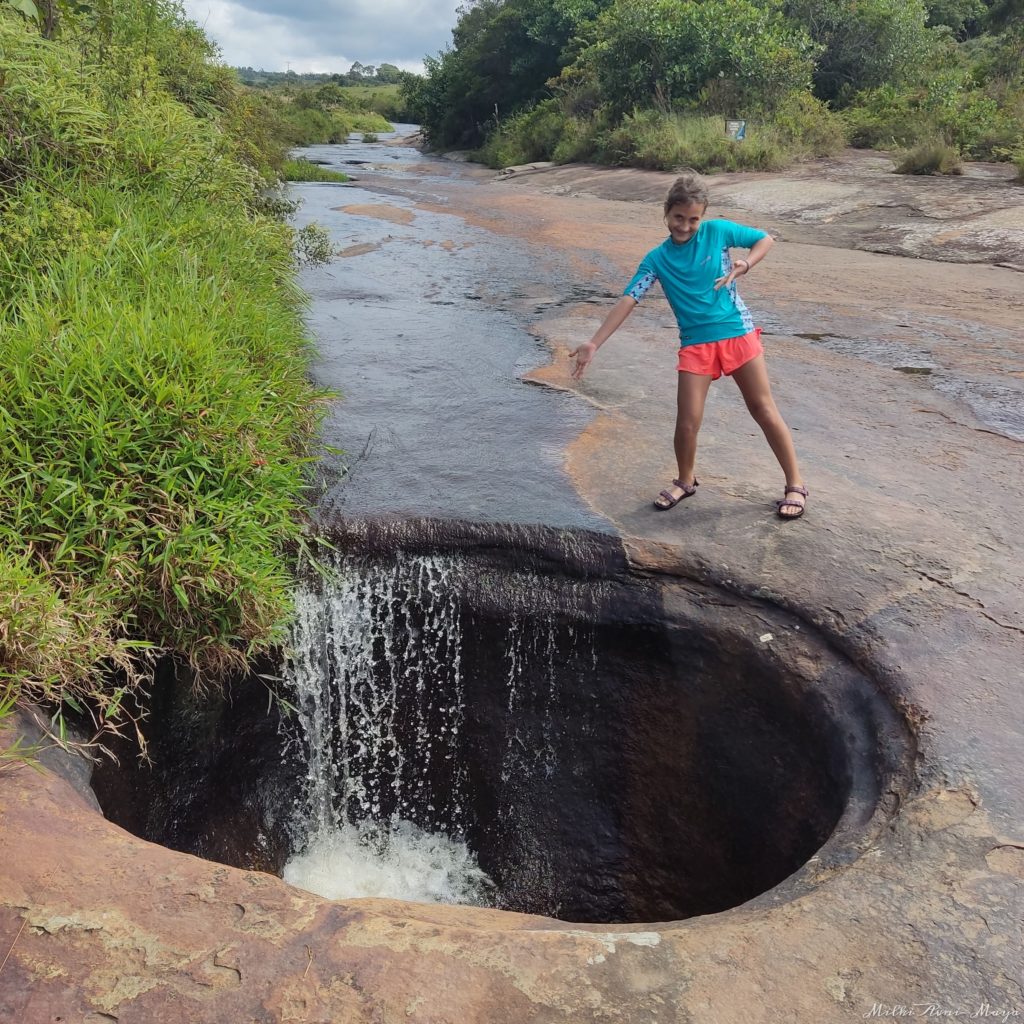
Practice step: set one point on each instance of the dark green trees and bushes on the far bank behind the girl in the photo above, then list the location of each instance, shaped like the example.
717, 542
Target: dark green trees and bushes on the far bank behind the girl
646, 82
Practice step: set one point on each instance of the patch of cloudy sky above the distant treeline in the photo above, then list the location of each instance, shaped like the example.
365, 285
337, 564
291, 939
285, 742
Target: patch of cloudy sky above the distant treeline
326, 35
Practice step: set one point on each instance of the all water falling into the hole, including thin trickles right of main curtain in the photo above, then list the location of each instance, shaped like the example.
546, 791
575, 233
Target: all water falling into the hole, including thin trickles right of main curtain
377, 673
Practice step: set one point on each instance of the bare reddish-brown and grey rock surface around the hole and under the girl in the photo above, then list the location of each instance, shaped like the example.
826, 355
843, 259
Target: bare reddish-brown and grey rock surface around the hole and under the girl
908, 561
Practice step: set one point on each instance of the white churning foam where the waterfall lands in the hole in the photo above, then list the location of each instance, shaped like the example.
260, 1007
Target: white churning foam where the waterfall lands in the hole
398, 863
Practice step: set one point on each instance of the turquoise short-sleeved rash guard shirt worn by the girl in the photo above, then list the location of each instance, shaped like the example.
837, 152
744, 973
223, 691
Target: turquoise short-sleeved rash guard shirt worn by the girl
688, 273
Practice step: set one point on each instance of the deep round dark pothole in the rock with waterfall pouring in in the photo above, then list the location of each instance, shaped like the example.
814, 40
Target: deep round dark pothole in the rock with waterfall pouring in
515, 719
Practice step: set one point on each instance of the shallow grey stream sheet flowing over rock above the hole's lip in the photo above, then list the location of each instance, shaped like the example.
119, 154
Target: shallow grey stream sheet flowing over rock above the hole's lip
414, 333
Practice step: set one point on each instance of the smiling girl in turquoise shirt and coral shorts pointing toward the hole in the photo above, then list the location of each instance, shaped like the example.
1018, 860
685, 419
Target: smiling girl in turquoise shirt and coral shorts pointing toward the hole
716, 332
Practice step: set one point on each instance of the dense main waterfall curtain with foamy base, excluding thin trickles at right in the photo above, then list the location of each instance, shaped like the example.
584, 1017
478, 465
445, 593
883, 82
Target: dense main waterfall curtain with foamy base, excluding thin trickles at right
376, 672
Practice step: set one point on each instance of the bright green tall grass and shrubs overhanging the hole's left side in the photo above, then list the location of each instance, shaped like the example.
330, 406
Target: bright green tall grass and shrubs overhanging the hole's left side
155, 406
